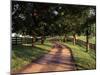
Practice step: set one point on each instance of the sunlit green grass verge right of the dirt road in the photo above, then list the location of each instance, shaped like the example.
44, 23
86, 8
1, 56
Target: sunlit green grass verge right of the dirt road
83, 60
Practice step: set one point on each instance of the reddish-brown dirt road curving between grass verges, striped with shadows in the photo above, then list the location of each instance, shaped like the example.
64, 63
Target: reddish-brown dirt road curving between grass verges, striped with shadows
58, 59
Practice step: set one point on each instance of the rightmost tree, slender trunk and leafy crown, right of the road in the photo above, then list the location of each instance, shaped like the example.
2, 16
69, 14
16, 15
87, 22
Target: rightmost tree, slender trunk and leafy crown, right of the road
90, 21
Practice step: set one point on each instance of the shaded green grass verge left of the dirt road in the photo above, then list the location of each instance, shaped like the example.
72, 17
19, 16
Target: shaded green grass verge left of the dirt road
23, 55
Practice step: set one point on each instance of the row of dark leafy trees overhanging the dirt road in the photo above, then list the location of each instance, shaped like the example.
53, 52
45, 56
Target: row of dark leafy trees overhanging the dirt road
43, 19
